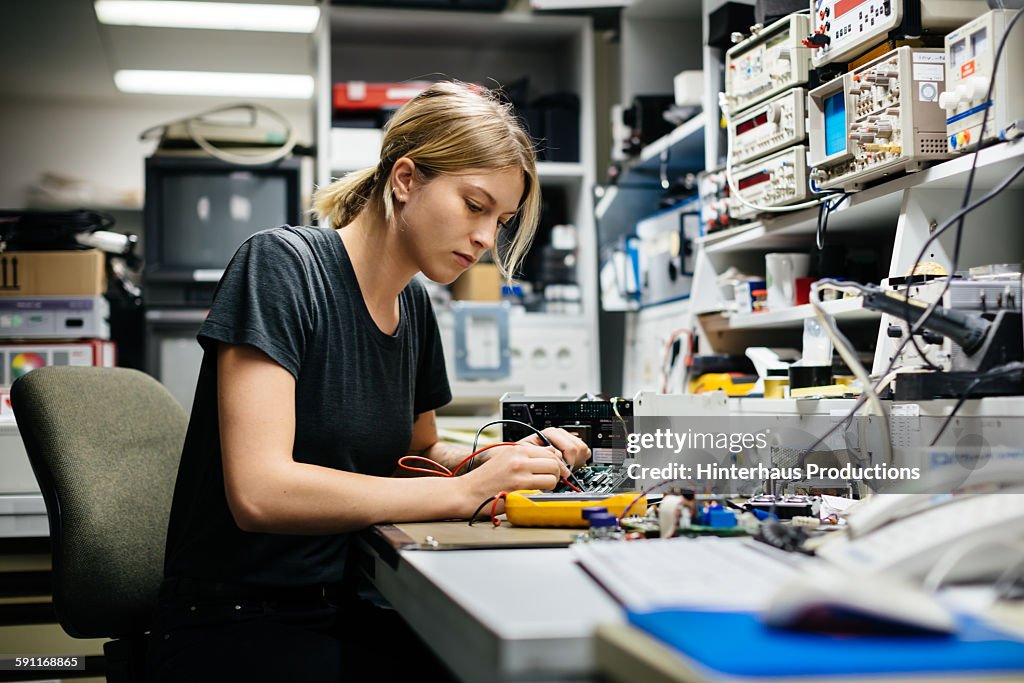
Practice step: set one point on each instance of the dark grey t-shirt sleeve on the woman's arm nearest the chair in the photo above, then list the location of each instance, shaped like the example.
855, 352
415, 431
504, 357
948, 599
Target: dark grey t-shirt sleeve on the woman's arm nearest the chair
264, 301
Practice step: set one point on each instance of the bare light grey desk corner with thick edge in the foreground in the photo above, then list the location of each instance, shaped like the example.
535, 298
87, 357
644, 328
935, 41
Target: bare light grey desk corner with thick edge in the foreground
514, 615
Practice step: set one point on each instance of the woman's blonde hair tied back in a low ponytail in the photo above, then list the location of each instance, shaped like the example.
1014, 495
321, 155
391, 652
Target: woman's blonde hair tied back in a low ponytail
446, 131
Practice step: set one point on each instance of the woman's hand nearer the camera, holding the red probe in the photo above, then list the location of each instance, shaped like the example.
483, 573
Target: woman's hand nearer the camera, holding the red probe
519, 467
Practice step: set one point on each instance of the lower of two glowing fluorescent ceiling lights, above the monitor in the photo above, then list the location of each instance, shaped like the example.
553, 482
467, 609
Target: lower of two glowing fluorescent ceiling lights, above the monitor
283, 87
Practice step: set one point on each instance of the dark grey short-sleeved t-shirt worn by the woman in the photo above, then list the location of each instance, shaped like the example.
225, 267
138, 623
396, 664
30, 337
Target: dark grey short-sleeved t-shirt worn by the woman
292, 293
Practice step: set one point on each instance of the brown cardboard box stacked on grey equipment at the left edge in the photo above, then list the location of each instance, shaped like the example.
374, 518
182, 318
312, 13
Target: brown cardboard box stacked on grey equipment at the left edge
53, 273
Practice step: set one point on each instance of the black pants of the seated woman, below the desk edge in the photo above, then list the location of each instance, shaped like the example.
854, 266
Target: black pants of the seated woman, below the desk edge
342, 638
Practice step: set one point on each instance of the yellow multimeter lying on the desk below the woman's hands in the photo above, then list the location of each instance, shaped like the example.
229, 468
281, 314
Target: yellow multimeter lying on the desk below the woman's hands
534, 508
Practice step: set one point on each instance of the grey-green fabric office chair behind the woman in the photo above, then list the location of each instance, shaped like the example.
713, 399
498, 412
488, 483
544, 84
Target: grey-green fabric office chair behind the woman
105, 445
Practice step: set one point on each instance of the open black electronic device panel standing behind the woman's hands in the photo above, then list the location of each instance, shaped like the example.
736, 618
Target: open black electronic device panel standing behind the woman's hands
602, 424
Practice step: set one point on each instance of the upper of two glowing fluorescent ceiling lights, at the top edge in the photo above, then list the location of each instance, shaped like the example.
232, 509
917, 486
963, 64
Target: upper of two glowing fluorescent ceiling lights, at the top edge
223, 16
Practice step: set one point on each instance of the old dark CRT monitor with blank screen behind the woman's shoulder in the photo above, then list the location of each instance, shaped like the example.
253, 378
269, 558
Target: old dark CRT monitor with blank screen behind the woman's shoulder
199, 210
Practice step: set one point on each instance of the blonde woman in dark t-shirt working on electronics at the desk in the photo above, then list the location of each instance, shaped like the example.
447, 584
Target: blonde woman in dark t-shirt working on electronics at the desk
323, 365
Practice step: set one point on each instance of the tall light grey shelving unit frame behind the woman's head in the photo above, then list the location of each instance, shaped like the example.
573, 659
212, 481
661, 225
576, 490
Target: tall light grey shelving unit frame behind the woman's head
554, 54
